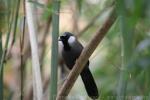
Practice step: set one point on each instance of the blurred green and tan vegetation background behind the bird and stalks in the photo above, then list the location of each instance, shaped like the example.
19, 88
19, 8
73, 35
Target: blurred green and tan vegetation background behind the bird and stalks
106, 61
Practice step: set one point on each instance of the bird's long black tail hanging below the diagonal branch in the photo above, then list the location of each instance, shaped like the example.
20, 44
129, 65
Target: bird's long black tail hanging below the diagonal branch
89, 83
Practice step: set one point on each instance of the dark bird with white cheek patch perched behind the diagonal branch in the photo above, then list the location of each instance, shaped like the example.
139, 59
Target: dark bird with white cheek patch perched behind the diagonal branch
69, 50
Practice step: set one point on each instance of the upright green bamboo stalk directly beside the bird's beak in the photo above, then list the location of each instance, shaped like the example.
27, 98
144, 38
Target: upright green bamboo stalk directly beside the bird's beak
54, 53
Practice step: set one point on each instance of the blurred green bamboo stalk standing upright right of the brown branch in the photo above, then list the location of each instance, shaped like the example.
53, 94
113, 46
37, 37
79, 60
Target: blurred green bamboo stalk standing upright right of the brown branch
126, 50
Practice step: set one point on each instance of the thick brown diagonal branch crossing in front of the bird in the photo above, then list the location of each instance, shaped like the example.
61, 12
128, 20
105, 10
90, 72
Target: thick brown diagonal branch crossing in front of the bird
86, 53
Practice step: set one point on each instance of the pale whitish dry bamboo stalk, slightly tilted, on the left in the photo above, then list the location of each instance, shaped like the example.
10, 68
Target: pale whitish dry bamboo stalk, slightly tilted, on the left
37, 83
